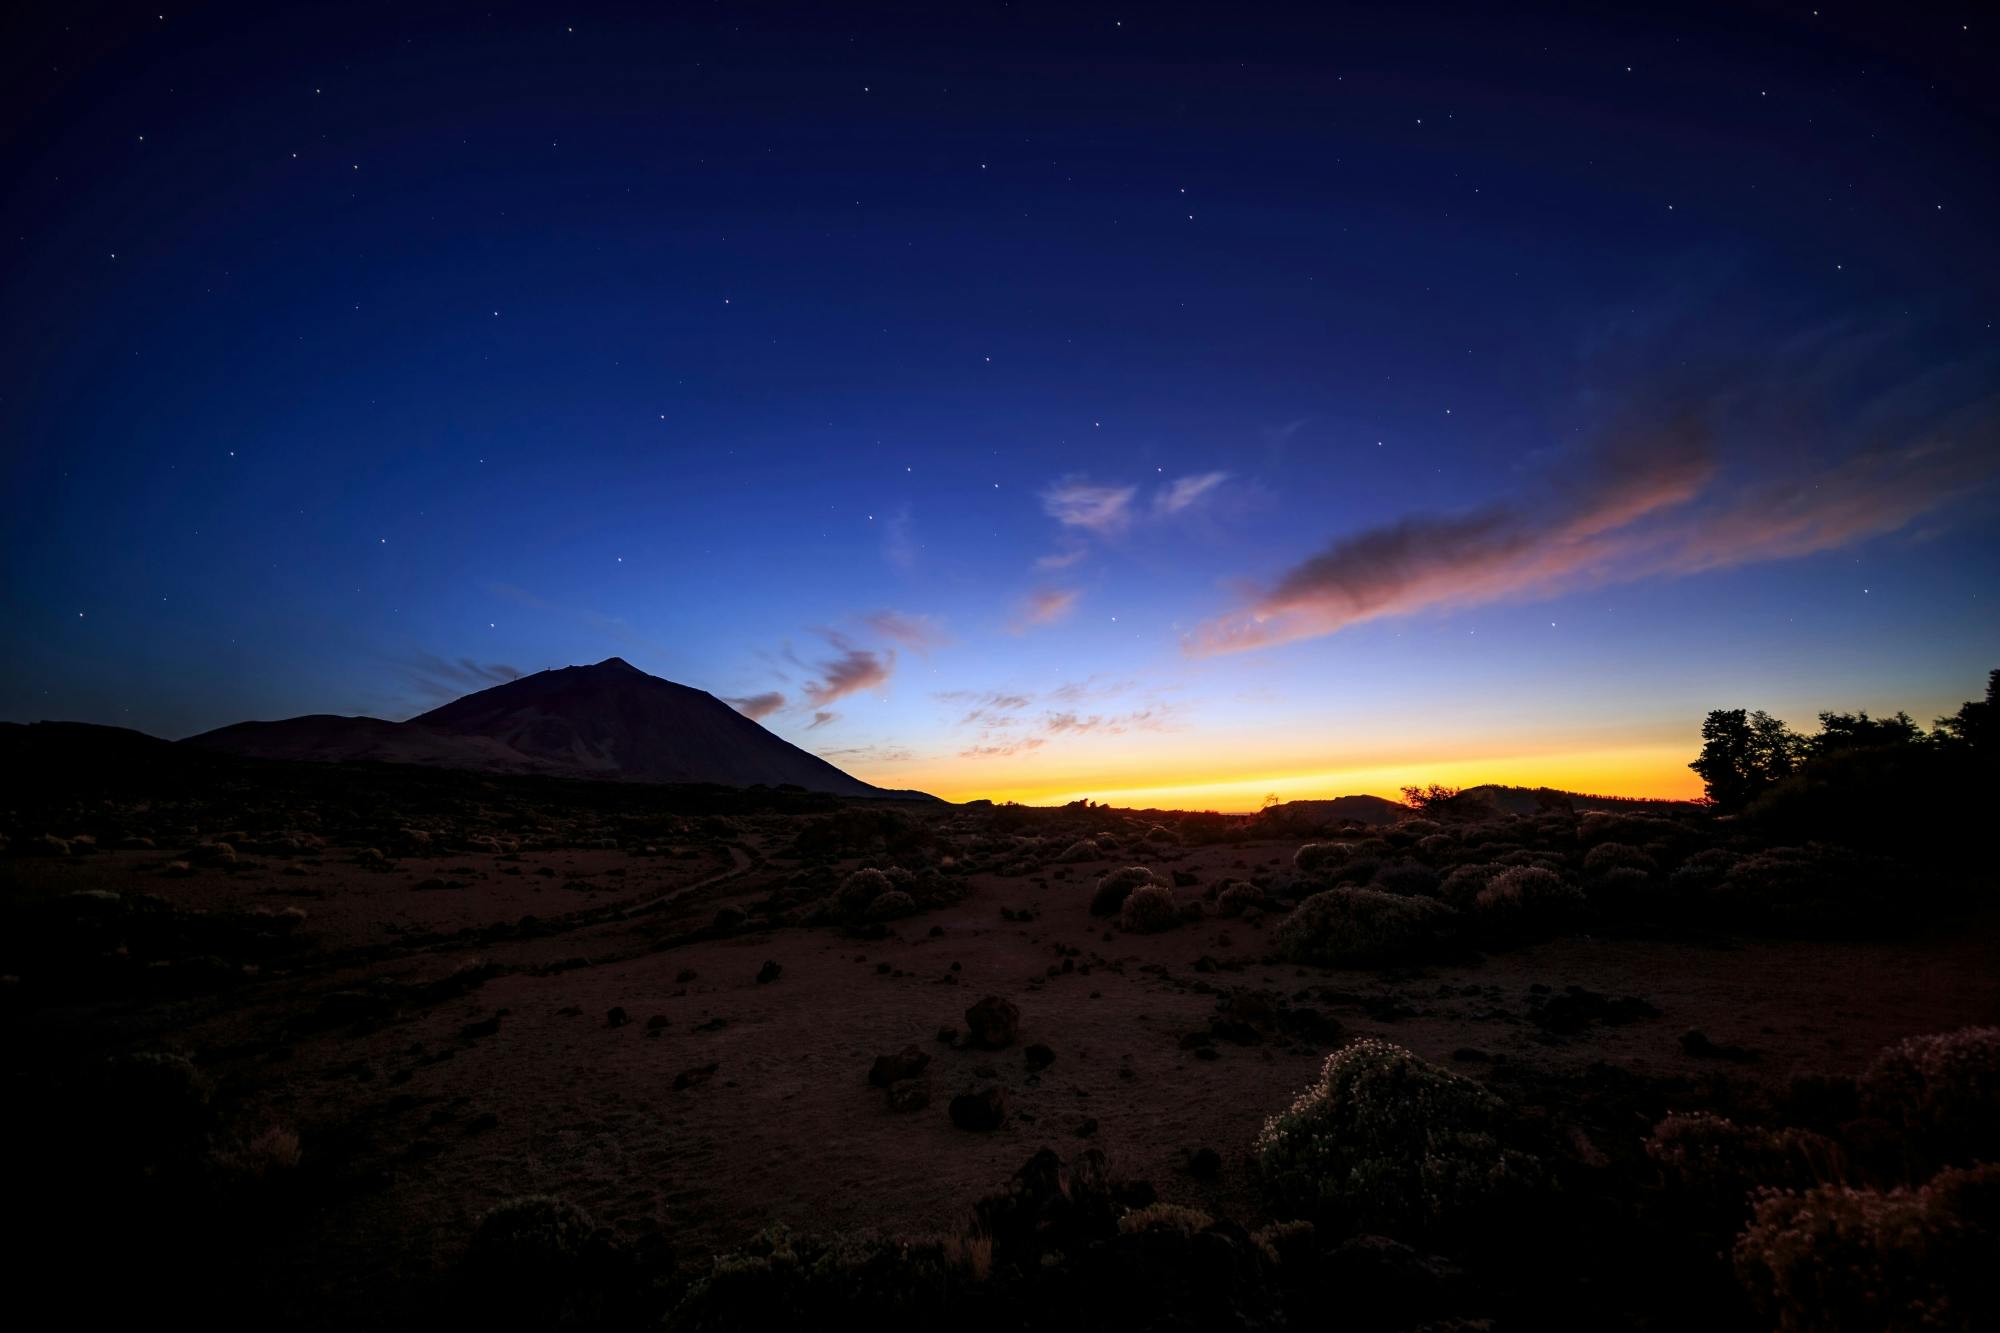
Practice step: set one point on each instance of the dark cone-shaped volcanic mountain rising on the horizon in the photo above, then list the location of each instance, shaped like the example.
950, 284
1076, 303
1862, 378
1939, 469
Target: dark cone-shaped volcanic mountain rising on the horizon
607, 722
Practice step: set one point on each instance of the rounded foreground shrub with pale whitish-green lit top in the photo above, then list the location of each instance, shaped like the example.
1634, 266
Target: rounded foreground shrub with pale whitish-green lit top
1387, 1142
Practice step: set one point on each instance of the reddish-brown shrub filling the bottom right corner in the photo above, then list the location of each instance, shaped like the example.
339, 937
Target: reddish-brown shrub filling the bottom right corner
1839, 1260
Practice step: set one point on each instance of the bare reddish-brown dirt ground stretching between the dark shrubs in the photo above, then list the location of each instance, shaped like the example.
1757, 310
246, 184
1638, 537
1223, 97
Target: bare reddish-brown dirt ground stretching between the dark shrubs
731, 1102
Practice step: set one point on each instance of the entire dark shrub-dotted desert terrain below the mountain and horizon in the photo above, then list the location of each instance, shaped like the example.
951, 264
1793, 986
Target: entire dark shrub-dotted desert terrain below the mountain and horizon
345, 1046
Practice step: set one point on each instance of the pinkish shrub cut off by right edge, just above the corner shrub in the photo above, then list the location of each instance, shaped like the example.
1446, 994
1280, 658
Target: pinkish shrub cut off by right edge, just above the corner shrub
1943, 1094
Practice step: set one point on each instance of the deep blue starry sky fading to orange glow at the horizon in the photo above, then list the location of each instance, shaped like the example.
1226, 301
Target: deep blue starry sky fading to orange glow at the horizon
1025, 401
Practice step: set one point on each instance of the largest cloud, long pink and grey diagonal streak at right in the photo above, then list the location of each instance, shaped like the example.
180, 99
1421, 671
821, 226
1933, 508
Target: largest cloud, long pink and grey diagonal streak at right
1647, 507
